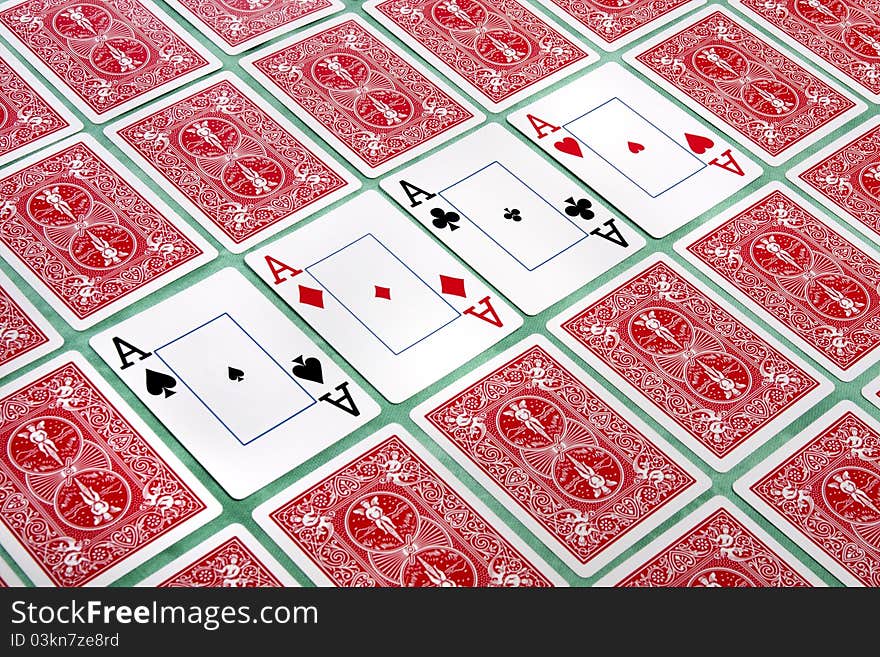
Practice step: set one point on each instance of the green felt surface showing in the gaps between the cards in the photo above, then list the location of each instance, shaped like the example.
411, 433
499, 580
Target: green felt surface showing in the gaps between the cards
240, 510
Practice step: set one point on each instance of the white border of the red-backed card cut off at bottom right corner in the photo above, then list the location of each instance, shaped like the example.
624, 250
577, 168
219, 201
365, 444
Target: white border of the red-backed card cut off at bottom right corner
741, 486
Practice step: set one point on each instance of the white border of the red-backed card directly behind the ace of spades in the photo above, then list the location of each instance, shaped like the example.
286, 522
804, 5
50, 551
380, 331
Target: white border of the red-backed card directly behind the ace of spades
208, 251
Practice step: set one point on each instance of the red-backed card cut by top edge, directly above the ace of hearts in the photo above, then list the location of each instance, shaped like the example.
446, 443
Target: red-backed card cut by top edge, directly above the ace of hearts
613, 24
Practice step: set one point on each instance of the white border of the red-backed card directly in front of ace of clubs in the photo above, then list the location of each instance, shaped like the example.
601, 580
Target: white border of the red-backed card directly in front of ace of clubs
767, 432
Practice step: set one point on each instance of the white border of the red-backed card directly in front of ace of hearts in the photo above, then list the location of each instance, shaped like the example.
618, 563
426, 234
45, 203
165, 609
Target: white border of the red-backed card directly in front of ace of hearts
868, 359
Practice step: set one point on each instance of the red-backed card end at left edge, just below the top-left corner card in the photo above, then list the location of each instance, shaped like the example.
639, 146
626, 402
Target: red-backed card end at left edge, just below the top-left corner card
30, 115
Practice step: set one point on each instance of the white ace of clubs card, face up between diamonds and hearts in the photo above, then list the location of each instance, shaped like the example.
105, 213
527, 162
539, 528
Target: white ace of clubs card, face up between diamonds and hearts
531, 231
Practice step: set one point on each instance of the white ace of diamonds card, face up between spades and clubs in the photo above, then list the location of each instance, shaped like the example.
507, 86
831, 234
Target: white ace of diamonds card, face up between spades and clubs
394, 304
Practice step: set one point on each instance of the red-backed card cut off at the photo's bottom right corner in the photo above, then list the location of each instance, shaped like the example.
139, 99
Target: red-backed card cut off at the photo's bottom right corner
822, 489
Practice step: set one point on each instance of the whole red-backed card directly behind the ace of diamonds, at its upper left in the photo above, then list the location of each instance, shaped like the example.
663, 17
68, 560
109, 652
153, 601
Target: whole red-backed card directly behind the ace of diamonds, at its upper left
236, 164
